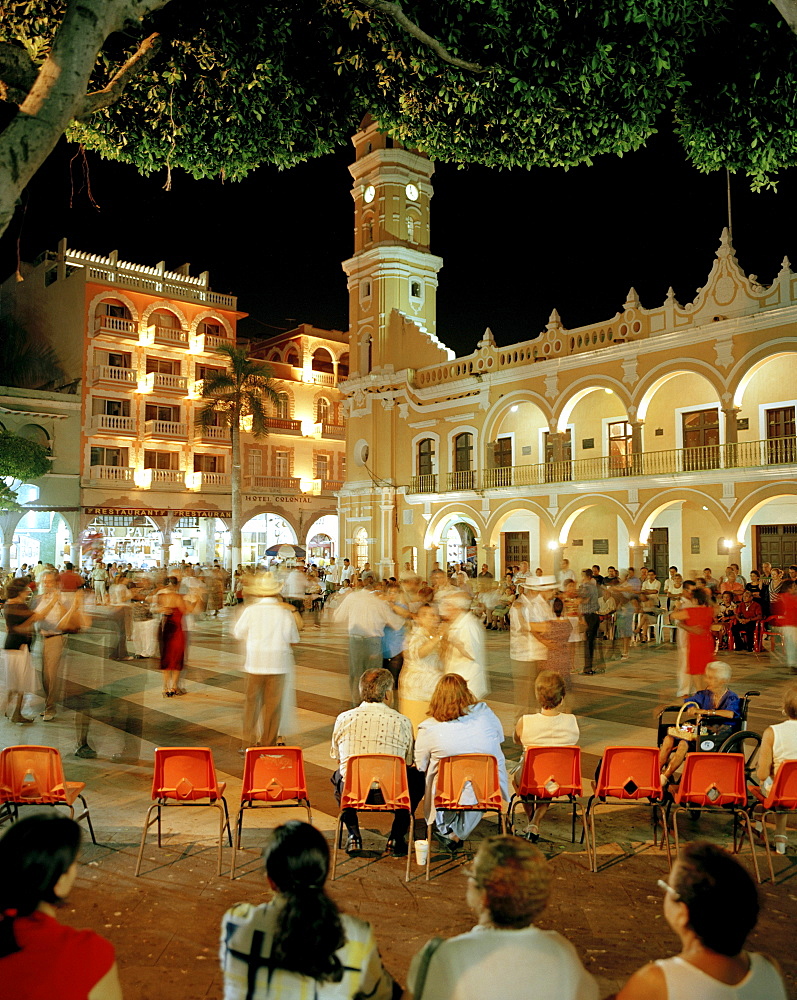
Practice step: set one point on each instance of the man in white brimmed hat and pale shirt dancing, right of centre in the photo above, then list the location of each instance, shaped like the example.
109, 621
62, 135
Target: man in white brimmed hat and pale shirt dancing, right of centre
527, 650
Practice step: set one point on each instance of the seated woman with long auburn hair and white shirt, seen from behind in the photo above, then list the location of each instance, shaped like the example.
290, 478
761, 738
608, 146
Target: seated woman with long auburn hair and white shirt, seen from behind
458, 724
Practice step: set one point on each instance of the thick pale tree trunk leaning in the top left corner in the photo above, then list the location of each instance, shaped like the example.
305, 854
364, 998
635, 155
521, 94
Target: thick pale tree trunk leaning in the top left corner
59, 92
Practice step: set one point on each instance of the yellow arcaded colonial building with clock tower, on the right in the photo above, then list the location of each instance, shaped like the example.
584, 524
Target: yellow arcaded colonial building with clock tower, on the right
663, 435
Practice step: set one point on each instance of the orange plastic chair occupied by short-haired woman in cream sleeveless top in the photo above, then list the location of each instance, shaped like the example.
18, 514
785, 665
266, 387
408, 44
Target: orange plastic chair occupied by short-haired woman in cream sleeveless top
550, 775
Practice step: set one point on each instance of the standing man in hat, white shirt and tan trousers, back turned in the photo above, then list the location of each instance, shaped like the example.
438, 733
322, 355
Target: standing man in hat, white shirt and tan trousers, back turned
268, 628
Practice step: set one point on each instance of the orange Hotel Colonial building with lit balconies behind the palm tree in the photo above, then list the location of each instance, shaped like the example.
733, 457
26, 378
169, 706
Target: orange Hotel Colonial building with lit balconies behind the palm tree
153, 481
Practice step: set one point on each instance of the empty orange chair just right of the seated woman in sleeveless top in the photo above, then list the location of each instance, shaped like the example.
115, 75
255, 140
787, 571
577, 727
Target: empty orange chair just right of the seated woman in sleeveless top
627, 776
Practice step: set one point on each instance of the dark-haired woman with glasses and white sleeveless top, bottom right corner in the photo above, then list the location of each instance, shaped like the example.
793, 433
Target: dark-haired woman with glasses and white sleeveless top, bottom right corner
711, 904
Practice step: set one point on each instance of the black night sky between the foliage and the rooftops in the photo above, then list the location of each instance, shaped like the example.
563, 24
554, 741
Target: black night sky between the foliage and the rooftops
515, 243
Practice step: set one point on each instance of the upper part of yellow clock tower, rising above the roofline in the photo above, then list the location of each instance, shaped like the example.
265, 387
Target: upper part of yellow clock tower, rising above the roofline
392, 277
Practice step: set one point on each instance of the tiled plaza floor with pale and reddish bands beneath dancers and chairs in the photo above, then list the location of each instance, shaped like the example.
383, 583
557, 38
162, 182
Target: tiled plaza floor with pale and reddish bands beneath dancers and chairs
165, 923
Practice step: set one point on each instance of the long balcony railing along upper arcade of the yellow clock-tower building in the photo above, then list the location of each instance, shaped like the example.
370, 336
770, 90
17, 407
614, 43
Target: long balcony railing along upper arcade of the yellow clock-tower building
677, 461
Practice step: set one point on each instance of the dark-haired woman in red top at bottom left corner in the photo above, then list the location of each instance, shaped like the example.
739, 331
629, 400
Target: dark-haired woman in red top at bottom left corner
41, 959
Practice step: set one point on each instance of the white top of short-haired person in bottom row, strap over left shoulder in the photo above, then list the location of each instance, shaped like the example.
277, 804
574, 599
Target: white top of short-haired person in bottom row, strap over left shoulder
510, 964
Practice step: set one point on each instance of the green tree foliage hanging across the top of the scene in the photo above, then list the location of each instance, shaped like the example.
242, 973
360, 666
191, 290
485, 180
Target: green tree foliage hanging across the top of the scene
555, 83
